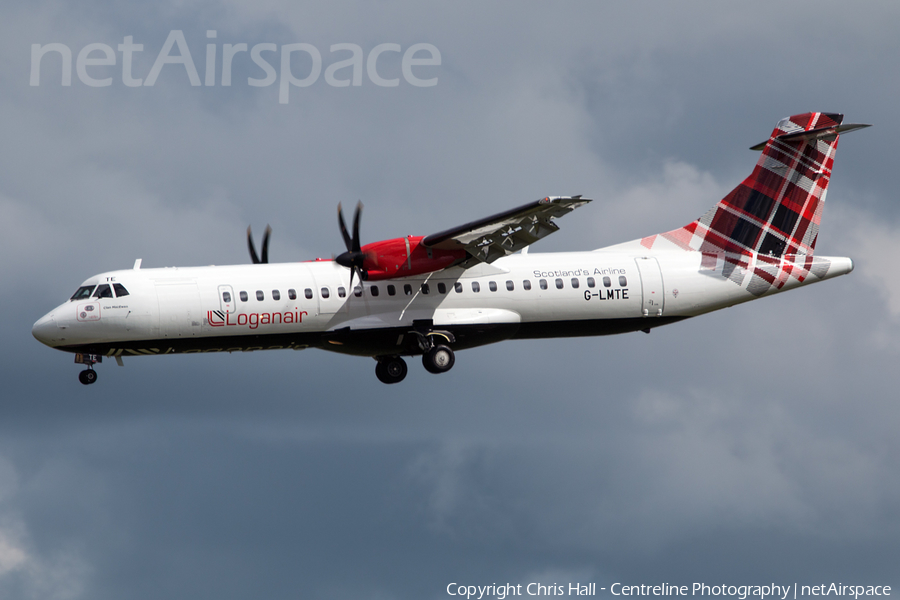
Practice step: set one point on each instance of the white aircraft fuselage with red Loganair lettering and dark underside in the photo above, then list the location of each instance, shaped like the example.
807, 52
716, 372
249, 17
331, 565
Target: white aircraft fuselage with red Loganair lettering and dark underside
298, 305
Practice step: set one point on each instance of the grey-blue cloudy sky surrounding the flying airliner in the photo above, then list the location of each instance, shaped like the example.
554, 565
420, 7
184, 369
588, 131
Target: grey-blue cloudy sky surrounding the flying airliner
751, 446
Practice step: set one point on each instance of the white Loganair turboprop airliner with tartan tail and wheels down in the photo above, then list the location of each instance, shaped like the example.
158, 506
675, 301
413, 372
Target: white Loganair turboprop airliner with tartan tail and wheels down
430, 296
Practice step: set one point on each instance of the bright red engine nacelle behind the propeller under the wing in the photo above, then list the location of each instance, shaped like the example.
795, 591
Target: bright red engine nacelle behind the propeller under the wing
402, 257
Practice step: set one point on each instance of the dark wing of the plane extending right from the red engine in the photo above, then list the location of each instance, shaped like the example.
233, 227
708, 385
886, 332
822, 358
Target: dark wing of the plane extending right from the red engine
490, 238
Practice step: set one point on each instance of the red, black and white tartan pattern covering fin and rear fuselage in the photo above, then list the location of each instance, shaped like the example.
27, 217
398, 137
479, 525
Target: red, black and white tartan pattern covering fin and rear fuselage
768, 225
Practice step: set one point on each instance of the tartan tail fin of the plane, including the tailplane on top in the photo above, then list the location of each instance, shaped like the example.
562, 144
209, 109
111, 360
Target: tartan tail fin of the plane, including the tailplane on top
776, 211
